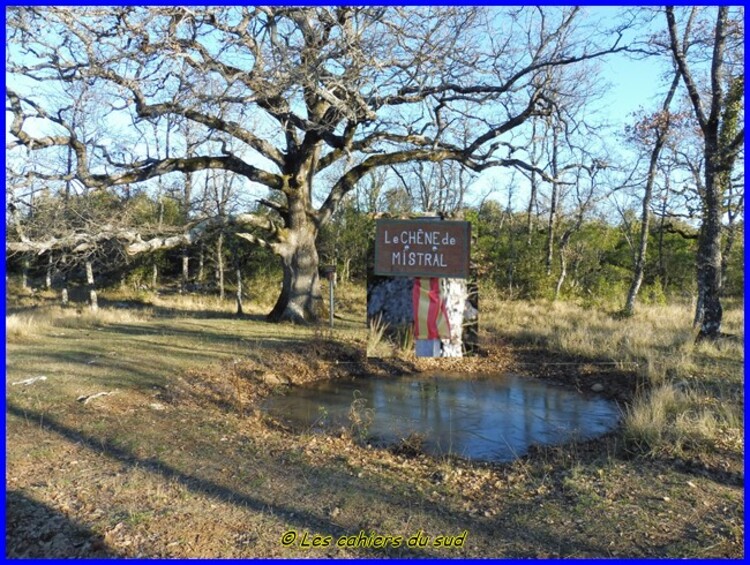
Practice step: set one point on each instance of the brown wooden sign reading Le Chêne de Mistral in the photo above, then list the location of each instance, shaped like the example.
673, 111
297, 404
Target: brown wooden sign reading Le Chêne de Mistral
422, 248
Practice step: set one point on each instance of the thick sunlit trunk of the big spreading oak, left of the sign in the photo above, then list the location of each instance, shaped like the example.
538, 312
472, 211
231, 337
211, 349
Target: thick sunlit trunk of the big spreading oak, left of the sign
300, 300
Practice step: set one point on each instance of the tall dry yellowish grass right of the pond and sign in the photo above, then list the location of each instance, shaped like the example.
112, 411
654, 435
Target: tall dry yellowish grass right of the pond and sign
691, 395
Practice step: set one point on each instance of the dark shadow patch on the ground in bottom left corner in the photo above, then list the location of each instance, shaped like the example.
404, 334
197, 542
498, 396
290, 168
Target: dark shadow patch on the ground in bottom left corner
34, 530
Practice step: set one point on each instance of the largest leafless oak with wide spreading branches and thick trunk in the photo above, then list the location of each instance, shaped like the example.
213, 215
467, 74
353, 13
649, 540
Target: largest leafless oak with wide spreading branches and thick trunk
367, 86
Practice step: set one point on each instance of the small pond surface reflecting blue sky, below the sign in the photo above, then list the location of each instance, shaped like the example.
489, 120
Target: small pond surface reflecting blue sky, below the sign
492, 418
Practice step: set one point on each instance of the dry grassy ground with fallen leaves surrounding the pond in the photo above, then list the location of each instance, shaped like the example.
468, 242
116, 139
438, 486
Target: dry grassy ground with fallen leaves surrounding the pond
181, 463
